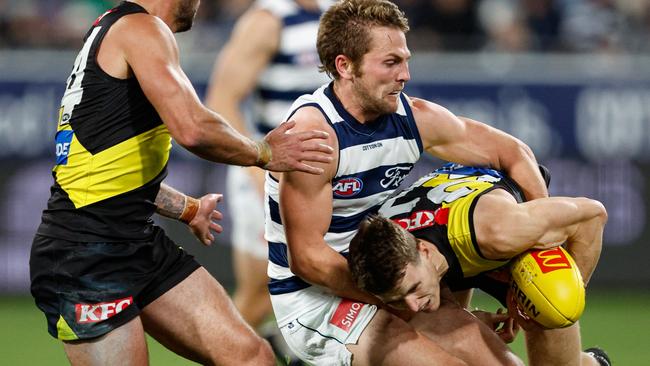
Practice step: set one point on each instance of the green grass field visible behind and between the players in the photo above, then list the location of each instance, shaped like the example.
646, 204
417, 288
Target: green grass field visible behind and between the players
616, 321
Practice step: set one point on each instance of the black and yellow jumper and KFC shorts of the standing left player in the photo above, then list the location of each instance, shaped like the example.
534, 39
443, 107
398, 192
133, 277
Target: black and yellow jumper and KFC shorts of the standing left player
97, 243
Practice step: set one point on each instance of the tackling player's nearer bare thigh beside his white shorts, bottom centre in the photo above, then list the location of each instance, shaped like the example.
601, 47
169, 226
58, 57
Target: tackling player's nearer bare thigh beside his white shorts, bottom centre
389, 340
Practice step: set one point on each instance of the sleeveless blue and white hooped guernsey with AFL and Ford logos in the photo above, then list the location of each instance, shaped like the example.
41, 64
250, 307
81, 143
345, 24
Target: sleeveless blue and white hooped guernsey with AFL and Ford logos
374, 158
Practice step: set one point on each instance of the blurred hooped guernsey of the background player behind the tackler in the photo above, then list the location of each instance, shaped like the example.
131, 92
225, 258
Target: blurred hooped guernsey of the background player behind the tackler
293, 71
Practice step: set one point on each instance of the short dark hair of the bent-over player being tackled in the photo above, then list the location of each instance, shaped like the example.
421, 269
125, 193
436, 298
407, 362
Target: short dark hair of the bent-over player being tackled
379, 253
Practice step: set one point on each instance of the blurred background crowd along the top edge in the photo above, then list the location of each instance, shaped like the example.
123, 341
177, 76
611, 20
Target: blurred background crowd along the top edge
619, 26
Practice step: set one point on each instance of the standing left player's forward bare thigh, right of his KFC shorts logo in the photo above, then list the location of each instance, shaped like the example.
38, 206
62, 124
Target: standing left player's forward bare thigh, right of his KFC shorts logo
197, 320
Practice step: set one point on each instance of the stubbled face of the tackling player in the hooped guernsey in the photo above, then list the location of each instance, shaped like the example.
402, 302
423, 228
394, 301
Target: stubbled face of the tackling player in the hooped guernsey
383, 71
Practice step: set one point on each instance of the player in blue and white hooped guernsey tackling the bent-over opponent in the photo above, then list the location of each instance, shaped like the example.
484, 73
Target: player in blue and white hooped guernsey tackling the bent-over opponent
378, 133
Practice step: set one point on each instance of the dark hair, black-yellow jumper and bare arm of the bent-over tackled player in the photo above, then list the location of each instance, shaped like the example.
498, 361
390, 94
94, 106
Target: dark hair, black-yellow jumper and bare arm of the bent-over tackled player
440, 209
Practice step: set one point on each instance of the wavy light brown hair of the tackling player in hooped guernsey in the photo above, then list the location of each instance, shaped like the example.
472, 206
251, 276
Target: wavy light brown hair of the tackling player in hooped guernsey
345, 29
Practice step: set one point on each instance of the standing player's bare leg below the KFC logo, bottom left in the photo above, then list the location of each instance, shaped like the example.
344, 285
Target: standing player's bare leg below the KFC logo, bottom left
125, 345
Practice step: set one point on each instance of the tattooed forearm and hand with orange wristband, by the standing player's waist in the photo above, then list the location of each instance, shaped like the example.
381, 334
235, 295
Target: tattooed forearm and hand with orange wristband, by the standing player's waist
199, 214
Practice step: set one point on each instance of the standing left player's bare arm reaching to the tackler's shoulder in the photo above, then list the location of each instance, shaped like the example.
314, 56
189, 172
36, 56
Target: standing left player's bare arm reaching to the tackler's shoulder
149, 48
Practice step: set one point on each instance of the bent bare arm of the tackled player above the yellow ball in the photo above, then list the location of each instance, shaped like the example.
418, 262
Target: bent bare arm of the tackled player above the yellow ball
540, 224
